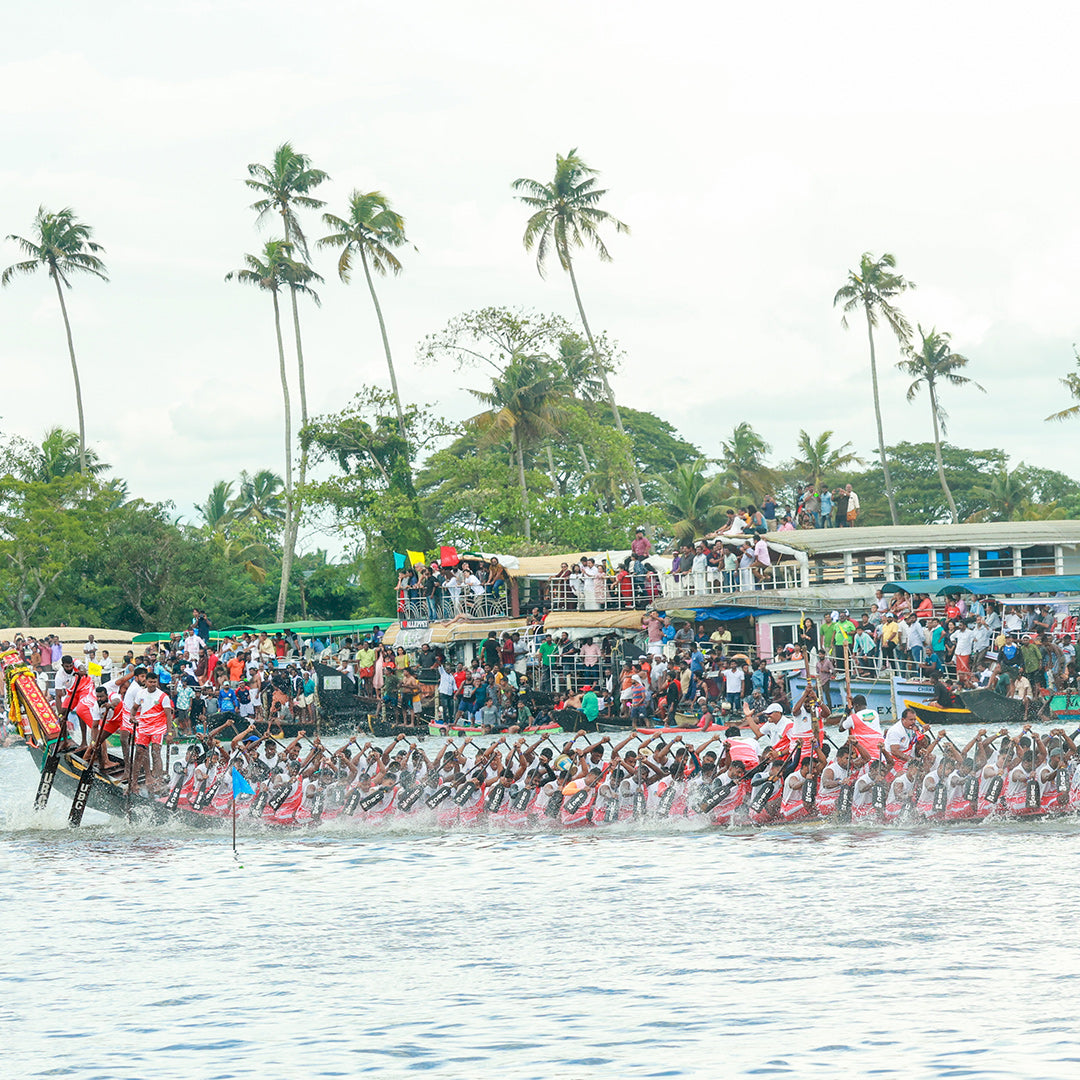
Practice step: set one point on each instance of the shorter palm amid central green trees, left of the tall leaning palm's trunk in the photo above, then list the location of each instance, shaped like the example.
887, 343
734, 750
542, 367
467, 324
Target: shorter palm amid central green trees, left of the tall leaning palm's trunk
524, 407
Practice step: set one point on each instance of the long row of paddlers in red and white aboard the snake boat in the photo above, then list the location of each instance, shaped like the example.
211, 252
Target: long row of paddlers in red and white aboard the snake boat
772, 769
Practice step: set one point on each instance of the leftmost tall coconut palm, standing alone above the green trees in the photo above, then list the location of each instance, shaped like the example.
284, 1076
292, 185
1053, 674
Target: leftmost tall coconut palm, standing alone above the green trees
61, 246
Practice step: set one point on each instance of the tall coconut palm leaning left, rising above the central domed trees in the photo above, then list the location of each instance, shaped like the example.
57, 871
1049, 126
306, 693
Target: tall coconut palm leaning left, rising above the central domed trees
568, 217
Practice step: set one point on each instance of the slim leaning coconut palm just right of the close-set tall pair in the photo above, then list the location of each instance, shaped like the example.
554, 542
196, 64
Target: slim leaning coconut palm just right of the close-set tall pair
371, 229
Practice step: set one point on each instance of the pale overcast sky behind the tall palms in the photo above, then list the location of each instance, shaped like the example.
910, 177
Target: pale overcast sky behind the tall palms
754, 150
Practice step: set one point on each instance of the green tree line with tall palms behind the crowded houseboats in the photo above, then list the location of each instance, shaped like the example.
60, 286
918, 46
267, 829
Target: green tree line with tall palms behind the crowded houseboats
549, 462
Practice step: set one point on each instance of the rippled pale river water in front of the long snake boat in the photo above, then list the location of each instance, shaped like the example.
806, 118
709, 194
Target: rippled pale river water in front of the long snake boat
624, 953
